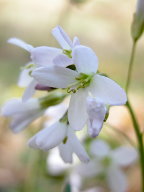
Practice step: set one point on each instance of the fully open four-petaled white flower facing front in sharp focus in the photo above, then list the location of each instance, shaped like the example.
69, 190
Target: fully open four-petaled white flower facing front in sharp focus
81, 83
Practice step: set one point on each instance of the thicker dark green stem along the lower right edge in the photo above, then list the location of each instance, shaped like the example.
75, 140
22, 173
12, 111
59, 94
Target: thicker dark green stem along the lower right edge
140, 141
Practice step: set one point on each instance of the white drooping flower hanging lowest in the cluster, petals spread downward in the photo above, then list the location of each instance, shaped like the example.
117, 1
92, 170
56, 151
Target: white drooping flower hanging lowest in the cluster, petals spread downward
59, 134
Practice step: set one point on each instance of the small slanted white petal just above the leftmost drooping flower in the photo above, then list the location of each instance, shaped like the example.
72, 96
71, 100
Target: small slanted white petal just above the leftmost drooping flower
30, 90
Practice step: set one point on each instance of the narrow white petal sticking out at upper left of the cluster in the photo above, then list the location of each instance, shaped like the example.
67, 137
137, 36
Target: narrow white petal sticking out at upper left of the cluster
20, 43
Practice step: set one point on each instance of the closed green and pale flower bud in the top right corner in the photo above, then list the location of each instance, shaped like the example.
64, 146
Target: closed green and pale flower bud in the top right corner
138, 21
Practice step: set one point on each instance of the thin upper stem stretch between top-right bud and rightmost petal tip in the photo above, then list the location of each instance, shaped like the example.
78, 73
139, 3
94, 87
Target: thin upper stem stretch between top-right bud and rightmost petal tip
130, 66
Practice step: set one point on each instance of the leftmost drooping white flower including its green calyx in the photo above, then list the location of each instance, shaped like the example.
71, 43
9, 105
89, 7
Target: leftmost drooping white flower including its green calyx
24, 113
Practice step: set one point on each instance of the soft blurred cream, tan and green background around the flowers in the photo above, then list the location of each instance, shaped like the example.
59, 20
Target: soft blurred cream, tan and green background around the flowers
103, 25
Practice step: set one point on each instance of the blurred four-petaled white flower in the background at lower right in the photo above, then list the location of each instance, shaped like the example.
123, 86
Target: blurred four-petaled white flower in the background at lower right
110, 163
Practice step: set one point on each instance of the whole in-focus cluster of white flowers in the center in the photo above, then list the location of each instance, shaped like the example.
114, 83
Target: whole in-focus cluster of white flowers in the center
70, 71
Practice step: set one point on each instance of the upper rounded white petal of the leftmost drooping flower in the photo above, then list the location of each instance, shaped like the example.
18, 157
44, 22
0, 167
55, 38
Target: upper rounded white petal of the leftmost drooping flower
16, 106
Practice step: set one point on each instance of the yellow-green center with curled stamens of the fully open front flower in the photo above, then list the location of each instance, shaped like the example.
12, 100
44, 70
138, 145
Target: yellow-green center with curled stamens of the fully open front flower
82, 81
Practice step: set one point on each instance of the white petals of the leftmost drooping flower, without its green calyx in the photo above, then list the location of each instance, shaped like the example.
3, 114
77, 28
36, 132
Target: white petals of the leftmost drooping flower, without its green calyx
22, 114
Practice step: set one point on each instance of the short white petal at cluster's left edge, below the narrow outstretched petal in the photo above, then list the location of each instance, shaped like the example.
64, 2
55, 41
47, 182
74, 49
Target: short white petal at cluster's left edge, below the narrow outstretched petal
24, 78
